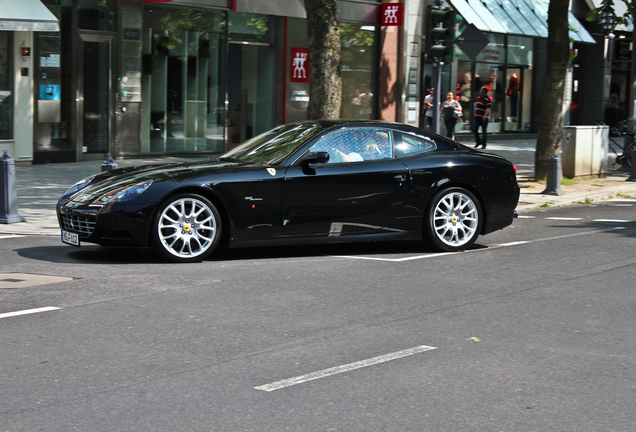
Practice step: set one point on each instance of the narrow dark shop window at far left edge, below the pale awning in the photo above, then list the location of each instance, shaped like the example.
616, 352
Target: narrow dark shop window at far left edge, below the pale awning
6, 85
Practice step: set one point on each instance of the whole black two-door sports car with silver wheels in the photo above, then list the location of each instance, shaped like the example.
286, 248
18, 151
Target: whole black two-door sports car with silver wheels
308, 182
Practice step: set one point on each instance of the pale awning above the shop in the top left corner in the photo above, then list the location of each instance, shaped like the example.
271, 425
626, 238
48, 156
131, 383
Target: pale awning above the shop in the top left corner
26, 15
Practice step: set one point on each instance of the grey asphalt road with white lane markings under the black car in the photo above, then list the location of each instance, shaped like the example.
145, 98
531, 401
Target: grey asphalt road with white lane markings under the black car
532, 330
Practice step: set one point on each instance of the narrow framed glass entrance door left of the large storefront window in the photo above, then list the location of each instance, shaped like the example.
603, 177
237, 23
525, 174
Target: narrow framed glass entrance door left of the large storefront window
95, 105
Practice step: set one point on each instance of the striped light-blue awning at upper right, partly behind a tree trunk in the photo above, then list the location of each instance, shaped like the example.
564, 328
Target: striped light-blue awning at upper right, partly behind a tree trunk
517, 17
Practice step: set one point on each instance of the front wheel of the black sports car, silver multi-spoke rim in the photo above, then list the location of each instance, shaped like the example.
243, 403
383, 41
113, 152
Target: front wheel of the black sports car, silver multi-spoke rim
186, 228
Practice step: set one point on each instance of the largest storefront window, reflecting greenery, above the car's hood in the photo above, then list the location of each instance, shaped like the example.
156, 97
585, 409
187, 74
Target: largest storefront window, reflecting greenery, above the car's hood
183, 56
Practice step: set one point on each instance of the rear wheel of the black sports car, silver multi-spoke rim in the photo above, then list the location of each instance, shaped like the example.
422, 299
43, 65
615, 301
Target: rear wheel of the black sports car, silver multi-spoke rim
453, 220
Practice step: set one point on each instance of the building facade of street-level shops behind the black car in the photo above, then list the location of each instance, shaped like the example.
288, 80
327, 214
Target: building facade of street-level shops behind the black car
152, 78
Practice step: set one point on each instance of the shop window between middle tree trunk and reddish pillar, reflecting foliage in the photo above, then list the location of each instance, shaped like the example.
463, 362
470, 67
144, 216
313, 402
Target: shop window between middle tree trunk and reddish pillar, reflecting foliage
358, 58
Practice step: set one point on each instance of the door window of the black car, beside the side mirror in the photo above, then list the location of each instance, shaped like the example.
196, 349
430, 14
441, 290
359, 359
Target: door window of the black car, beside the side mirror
355, 145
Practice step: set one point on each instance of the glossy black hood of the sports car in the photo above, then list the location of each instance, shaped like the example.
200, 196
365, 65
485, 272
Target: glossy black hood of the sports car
119, 179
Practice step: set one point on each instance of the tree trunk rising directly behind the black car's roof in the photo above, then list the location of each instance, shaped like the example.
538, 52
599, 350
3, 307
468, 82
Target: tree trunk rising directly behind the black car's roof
325, 81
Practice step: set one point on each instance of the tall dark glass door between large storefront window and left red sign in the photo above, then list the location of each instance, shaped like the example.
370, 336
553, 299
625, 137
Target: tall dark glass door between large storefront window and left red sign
251, 84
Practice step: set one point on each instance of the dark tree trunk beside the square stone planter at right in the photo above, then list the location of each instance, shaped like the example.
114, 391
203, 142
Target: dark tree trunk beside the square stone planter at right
550, 132
